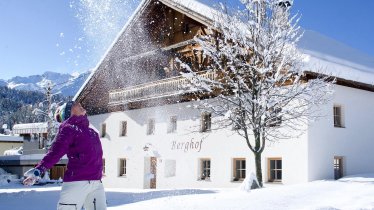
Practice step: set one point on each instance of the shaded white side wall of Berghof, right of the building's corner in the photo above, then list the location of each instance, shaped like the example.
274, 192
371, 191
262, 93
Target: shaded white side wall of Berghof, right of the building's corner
355, 142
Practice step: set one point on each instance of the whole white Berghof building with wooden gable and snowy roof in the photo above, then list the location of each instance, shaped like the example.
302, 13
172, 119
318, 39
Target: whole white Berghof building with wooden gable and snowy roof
153, 139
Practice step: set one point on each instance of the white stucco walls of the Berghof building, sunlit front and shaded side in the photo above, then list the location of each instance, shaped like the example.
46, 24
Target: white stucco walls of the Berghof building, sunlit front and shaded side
179, 154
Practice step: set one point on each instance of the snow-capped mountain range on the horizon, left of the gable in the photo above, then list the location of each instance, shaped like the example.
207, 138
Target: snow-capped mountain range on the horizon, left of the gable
66, 84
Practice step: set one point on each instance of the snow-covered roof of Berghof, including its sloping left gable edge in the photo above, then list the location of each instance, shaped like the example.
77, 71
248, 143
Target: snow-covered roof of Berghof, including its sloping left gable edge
336, 58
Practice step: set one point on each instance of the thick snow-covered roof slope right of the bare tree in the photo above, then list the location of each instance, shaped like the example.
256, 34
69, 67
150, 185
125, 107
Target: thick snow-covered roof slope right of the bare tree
329, 56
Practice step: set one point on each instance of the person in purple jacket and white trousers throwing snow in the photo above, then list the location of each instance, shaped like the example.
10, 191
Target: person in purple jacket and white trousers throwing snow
82, 186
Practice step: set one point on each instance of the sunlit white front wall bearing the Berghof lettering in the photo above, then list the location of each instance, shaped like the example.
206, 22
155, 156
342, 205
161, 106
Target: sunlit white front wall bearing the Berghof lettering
220, 146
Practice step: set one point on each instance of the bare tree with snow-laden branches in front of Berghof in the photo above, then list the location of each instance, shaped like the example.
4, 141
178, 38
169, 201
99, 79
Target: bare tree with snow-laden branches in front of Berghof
260, 86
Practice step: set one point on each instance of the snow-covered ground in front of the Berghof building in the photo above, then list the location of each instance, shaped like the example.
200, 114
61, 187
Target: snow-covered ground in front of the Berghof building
355, 192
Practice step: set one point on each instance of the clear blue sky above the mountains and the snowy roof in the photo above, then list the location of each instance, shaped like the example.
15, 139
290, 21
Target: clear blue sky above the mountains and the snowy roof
70, 35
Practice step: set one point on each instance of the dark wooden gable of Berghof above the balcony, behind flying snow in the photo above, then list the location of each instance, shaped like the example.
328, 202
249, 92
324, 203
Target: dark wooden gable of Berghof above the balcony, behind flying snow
144, 53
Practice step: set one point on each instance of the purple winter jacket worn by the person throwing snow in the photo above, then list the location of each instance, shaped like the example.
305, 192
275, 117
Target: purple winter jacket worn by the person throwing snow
82, 146
